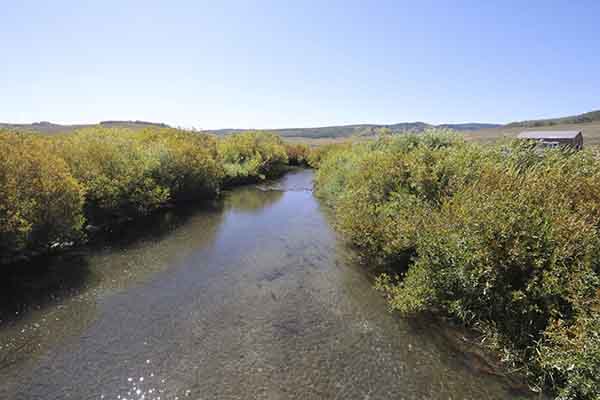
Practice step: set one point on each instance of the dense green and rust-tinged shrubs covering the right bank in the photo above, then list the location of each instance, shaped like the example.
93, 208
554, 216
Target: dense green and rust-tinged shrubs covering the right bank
504, 238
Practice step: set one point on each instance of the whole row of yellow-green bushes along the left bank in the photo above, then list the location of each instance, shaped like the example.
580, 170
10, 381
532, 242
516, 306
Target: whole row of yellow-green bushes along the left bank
52, 187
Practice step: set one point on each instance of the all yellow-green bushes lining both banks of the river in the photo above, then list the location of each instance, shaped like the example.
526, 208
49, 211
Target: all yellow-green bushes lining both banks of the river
504, 238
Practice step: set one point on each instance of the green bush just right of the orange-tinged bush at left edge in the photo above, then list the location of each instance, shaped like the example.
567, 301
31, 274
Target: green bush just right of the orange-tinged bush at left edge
117, 170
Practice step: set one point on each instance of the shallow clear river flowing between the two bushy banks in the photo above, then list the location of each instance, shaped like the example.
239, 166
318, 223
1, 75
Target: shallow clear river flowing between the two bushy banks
250, 297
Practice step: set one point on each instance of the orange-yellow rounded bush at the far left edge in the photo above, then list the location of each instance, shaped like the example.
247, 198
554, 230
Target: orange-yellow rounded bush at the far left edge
40, 201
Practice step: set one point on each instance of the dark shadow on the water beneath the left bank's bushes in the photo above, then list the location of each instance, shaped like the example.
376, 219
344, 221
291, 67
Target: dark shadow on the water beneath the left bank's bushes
48, 280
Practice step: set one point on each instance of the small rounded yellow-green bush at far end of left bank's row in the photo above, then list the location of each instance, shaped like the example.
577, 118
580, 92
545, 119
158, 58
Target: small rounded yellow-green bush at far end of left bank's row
252, 156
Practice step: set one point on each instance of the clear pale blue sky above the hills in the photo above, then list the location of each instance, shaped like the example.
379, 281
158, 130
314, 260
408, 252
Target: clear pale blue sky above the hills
298, 63
